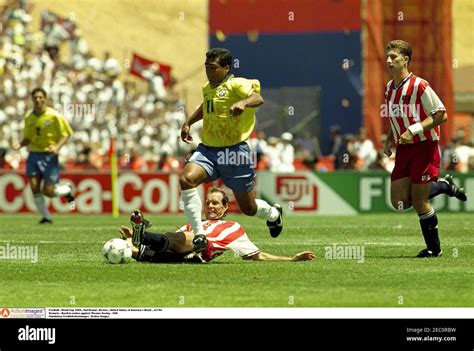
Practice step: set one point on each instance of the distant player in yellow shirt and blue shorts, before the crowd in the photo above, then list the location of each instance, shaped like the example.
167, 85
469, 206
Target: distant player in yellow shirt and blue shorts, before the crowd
45, 133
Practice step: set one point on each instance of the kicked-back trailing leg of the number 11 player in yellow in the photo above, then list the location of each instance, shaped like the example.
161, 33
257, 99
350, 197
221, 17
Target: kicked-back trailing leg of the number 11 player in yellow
251, 206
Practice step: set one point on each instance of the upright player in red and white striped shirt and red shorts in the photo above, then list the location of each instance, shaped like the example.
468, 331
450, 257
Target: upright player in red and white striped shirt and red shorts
415, 113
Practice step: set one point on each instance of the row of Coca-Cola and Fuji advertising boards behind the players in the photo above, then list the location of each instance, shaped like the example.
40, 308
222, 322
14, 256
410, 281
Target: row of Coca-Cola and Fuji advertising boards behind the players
338, 193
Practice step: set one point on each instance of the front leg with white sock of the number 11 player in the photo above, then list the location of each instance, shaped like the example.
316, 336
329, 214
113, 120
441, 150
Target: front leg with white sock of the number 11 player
192, 176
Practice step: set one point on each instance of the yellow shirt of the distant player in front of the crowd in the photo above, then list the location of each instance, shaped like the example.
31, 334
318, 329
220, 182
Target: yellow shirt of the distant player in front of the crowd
45, 130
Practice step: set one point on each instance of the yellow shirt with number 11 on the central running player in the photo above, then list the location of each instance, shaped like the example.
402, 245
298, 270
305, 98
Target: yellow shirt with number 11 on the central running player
220, 128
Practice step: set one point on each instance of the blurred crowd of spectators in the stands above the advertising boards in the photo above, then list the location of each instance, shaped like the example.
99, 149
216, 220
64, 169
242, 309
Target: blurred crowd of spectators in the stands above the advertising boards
145, 118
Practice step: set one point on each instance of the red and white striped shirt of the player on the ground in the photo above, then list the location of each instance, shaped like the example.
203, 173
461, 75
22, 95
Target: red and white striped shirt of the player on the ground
225, 235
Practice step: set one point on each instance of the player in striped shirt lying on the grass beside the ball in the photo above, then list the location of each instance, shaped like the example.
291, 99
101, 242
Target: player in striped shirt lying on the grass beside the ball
219, 236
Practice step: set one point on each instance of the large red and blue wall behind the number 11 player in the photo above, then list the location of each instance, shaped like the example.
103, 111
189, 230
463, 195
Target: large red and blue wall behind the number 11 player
297, 44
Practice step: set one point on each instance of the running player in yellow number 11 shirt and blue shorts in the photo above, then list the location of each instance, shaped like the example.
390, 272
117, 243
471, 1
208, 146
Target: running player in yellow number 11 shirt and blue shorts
228, 114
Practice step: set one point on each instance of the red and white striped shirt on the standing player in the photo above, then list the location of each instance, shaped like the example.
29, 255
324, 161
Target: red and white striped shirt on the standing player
412, 101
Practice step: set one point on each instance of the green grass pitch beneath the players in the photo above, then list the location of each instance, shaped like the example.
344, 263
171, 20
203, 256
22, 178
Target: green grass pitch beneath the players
70, 271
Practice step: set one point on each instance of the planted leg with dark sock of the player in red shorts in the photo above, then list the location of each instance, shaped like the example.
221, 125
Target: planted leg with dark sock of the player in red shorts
428, 219
